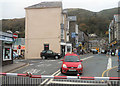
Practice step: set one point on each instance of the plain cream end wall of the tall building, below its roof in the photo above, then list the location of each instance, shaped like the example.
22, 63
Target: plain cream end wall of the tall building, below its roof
42, 26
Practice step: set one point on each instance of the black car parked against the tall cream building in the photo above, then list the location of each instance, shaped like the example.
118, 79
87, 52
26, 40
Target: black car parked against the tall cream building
49, 54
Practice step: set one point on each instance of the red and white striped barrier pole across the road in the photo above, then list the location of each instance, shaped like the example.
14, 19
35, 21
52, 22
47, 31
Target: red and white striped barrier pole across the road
60, 77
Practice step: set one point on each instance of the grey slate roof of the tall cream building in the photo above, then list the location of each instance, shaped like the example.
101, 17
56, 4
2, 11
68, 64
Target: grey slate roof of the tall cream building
46, 5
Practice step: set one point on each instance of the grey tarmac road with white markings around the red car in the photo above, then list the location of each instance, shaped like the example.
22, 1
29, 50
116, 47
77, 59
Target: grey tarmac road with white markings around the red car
95, 65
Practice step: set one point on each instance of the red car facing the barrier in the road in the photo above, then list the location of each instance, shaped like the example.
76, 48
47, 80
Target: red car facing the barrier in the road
72, 64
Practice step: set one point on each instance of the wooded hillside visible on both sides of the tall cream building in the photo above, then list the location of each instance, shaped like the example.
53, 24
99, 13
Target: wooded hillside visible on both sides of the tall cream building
88, 21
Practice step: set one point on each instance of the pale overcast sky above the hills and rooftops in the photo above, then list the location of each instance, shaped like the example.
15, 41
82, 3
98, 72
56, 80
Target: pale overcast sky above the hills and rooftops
10, 9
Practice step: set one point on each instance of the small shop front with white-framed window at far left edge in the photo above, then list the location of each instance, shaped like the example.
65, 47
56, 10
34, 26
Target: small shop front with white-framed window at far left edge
7, 51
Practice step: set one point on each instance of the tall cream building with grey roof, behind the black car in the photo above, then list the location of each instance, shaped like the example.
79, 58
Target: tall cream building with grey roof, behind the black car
45, 29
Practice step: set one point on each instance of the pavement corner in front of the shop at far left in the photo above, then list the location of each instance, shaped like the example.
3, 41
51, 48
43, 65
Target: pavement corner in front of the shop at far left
12, 67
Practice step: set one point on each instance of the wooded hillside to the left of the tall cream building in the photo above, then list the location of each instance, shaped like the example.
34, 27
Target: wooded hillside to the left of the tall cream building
14, 25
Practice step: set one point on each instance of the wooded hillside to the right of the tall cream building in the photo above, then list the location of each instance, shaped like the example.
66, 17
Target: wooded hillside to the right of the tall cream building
93, 22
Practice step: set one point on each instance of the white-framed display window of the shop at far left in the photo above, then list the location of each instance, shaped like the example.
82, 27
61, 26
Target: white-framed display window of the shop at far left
7, 53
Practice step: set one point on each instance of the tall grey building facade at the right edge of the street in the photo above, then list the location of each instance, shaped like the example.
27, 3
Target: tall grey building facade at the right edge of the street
114, 32
